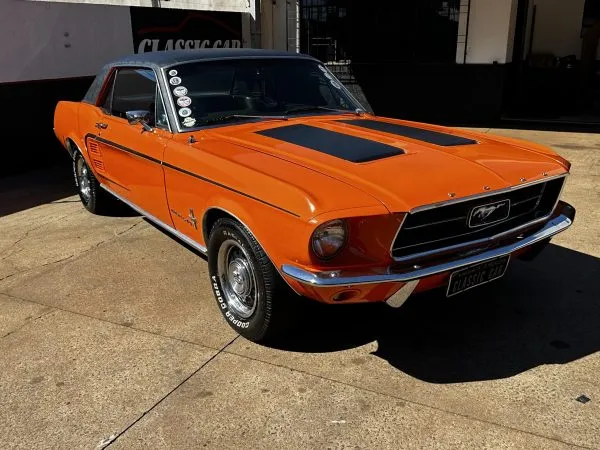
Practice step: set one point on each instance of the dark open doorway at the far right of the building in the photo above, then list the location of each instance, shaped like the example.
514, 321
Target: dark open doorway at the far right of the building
555, 72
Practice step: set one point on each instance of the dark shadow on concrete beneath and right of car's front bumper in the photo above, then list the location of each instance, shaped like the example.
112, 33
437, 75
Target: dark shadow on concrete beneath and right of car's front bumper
542, 312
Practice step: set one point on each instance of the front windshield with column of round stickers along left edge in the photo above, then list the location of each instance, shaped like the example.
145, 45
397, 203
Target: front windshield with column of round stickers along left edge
208, 92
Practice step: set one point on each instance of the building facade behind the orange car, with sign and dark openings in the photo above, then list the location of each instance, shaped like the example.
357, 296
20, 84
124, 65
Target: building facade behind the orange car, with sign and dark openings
447, 61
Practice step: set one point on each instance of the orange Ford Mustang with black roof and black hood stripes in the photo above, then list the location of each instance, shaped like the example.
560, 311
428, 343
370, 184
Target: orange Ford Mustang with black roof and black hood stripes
263, 161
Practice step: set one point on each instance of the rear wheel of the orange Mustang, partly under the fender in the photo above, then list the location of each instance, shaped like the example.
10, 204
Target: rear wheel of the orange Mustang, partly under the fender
95, 199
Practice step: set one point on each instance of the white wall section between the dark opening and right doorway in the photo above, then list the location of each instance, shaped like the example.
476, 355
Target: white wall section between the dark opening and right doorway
490, 31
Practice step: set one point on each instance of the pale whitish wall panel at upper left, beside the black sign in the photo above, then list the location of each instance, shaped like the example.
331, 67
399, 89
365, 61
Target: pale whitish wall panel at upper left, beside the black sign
54, 40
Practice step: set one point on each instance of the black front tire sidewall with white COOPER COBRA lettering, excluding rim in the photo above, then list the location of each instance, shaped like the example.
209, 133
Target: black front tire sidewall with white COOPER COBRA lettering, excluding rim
255, 325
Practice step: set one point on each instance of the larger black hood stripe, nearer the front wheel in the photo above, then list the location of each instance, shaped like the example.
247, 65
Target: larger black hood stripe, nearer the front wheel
340, 145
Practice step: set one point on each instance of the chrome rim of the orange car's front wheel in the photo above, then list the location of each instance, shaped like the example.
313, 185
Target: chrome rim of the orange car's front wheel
238, 279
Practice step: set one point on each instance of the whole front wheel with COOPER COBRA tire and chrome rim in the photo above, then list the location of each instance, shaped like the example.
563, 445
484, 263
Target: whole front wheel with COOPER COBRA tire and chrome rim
253, 298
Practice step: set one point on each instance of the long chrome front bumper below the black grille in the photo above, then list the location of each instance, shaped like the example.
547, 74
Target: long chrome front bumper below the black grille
389, 275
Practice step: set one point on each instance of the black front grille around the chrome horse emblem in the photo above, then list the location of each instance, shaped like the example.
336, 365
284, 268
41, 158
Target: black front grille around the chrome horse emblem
447, 226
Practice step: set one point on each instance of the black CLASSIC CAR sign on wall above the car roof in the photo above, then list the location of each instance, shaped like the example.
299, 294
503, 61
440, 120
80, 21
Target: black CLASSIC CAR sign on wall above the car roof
157, 29
